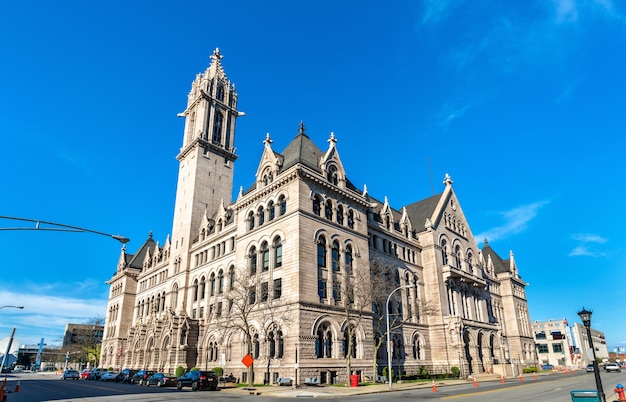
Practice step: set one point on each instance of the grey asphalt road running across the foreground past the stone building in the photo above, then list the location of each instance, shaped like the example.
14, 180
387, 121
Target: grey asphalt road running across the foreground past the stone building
551, 388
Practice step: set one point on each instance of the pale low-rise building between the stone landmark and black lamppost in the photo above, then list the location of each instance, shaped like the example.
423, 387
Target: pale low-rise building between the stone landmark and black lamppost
554, 342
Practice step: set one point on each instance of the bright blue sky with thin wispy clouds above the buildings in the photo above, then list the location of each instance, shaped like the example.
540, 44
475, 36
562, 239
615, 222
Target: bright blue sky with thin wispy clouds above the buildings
520, 102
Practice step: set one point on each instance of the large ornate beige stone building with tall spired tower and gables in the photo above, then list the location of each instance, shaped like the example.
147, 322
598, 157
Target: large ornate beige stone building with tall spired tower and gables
296, 271
